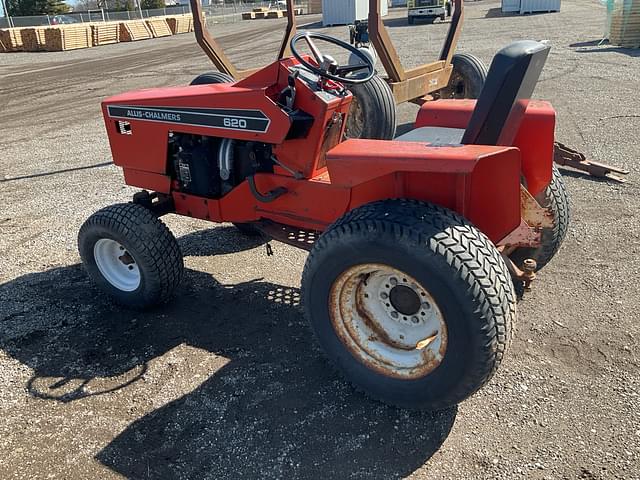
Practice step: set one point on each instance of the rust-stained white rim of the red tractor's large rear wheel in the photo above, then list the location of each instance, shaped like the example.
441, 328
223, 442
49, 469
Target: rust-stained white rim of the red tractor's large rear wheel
388, 321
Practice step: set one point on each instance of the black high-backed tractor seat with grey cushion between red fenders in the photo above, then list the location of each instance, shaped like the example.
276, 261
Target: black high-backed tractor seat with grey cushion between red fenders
495, 120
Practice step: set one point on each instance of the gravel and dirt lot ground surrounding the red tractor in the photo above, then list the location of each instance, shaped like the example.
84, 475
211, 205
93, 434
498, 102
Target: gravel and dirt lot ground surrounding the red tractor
226, 382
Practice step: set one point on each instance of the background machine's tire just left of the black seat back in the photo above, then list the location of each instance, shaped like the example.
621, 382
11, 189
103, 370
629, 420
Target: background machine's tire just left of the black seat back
467, 78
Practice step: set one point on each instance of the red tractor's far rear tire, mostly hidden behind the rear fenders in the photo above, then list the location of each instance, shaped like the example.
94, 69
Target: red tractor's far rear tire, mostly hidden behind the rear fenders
556, 199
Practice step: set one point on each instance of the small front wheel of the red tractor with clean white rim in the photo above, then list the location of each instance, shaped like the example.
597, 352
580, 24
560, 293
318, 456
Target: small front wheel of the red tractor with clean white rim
131, 255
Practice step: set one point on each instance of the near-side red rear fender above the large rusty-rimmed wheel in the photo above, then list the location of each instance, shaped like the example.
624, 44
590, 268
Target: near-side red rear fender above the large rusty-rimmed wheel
482, 183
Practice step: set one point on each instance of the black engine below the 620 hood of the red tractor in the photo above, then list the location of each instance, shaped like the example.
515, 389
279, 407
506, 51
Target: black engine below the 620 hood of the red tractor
211, 167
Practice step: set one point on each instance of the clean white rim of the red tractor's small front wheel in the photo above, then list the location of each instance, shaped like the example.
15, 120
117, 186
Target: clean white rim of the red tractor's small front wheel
116, 265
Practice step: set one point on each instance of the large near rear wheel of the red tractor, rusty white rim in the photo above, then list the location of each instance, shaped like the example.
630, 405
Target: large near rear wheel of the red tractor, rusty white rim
450, 324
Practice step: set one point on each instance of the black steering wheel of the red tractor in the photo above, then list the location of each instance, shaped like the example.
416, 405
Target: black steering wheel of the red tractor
327, 67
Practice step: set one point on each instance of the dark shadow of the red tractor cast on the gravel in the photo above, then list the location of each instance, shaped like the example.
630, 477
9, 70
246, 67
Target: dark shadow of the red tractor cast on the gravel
274, 410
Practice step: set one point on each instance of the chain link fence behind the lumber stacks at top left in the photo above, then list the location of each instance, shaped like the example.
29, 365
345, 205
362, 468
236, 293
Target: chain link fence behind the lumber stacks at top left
228, 11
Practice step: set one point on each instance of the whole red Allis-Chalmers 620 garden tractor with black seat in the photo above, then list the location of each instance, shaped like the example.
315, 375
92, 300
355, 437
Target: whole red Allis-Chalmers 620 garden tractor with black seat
415, 243
